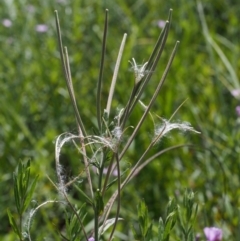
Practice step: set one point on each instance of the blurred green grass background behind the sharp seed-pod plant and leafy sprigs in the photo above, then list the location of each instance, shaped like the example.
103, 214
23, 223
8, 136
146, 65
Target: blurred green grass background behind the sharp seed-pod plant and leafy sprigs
35, 105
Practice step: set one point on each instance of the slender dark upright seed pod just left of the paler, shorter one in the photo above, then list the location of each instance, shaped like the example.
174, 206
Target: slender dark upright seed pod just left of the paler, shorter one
99, 86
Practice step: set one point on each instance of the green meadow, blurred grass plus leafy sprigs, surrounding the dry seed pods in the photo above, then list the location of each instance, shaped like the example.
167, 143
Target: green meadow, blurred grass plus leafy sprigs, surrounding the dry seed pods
36, 108
